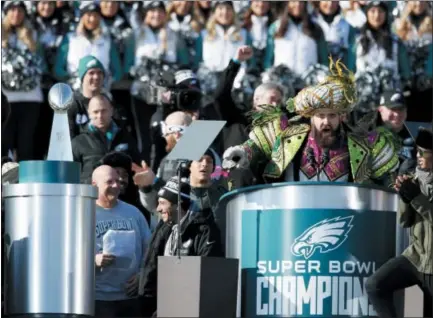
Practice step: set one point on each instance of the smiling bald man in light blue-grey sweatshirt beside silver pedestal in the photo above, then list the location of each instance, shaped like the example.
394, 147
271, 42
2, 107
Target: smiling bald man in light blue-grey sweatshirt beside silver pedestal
122, 236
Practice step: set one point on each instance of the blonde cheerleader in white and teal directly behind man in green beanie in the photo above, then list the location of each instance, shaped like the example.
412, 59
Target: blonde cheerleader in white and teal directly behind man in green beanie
88, 39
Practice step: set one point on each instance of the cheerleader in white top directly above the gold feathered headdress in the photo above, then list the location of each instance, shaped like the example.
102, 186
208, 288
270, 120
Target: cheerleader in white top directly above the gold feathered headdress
339, 34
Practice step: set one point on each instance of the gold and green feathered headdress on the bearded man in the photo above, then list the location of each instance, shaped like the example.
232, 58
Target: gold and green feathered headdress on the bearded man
337, 92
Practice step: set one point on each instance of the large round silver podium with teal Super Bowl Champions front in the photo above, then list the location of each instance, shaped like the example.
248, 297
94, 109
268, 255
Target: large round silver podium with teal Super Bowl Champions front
306, 249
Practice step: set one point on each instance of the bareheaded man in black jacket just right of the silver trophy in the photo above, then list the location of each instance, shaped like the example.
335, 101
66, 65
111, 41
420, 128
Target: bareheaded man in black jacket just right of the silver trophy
101, 136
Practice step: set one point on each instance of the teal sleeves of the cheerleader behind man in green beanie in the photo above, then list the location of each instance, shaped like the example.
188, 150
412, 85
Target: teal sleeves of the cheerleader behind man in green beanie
61, 63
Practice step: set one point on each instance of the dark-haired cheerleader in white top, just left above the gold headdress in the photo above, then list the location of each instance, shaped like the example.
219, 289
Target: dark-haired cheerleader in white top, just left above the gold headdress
295, 40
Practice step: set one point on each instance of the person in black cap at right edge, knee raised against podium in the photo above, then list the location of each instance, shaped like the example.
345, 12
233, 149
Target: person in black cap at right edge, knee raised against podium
415, 266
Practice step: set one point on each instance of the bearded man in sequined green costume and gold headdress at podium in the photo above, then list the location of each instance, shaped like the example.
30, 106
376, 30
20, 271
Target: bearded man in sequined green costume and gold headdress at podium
316, 145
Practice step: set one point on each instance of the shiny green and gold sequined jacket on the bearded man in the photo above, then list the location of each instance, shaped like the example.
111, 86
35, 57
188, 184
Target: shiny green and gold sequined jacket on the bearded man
274, 141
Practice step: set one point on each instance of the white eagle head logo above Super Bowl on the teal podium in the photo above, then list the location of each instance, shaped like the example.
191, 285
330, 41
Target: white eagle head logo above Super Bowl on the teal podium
325, 236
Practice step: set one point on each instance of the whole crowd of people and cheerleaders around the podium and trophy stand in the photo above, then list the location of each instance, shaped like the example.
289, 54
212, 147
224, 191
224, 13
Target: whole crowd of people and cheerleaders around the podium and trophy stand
309, 90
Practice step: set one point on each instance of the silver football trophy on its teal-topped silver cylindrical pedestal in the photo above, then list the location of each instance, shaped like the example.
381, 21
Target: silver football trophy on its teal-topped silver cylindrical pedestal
50, 229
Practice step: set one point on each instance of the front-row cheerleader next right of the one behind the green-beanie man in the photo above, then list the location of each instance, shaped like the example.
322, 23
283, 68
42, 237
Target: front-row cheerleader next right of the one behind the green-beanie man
154, 44
